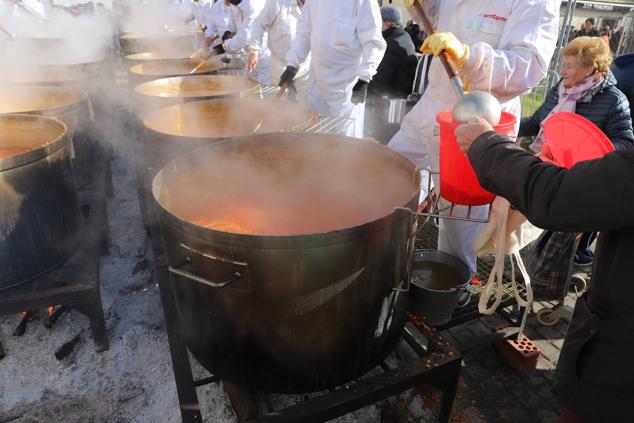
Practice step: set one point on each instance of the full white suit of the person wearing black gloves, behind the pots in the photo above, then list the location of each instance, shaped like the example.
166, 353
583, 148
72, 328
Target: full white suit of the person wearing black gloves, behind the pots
345, 41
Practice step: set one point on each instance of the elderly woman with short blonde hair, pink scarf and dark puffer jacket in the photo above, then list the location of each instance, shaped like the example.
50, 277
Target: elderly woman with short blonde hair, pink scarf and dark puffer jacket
588, 88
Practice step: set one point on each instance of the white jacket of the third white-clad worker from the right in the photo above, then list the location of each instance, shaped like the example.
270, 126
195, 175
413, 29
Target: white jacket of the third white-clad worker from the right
279, 19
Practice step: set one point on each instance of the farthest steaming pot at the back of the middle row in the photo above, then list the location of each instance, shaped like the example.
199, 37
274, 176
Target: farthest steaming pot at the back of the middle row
165, 41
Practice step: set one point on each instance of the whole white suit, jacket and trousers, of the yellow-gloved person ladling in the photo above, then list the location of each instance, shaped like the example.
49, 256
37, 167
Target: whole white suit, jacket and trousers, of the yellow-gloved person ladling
511, 45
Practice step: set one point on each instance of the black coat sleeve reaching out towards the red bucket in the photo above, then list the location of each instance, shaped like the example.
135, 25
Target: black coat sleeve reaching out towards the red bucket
593, 195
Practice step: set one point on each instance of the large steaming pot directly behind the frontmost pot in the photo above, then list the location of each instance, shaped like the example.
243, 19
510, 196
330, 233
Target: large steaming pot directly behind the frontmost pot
175, 130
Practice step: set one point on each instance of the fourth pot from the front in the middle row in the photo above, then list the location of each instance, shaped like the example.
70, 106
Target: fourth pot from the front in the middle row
147, 71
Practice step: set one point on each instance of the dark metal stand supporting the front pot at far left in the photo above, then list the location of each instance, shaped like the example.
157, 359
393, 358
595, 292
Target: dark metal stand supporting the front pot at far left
76, 283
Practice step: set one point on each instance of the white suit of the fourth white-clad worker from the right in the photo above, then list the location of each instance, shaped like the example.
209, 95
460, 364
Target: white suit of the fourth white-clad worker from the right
244, 15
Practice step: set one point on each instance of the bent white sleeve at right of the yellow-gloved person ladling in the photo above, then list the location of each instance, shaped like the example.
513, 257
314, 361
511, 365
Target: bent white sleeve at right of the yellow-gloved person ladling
525, 49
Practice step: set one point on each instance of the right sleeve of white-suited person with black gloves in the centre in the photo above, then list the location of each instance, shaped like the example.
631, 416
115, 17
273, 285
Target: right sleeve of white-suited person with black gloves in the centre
370, 38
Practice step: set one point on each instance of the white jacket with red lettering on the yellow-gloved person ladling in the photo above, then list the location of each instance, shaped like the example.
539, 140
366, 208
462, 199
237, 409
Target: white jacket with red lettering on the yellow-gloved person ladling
511, 45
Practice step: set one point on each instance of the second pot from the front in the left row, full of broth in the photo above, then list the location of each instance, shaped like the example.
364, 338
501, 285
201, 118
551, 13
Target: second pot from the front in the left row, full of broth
68, 104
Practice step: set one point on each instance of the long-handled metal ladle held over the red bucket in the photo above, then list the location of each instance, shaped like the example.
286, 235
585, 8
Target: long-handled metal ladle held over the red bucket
480, 104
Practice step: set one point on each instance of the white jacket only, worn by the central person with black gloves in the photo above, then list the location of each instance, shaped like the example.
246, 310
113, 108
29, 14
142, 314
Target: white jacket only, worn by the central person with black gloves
344, 37
